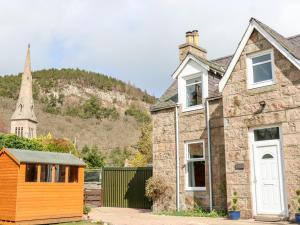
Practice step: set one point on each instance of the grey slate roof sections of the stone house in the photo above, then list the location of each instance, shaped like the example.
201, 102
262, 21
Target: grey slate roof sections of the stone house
169, 98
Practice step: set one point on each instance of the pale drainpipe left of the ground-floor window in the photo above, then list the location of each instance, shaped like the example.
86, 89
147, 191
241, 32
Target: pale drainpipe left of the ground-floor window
177, 156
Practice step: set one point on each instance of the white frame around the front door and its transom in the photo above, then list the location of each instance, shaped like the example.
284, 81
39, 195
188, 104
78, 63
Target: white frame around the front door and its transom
283, 194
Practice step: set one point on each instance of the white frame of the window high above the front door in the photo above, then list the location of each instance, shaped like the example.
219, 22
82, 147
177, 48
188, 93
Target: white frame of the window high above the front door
251, 83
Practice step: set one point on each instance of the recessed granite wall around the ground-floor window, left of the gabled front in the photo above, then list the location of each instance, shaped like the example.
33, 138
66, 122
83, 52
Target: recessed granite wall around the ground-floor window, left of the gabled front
192, 126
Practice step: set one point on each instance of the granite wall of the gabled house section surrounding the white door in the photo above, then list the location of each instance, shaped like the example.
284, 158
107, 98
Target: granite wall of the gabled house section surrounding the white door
242, 112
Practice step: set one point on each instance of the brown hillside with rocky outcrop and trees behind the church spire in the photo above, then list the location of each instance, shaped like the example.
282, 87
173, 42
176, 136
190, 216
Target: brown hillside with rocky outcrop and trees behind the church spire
86, 107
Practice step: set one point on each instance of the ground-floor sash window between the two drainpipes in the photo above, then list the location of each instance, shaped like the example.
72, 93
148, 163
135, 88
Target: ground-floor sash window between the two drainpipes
195, 166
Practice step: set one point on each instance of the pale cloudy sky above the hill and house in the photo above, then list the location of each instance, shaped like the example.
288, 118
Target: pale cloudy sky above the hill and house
133, 40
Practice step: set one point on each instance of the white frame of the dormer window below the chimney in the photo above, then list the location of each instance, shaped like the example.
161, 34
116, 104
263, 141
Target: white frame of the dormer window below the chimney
186, 108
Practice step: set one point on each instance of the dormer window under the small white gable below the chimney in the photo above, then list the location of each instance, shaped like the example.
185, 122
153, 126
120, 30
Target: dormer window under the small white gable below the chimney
193, 91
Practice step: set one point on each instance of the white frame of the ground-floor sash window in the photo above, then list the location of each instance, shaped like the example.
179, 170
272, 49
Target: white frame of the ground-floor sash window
186, 144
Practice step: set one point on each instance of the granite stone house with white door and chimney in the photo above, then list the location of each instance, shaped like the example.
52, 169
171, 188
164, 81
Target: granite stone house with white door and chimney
240, 118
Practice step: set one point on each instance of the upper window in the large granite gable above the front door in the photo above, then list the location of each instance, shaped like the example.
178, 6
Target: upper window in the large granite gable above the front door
261, 71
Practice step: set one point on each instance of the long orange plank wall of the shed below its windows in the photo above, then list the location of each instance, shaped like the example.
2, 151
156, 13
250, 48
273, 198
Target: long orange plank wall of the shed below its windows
49, 200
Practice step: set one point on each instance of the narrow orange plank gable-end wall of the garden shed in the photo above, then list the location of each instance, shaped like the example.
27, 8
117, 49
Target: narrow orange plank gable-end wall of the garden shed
8, 187
